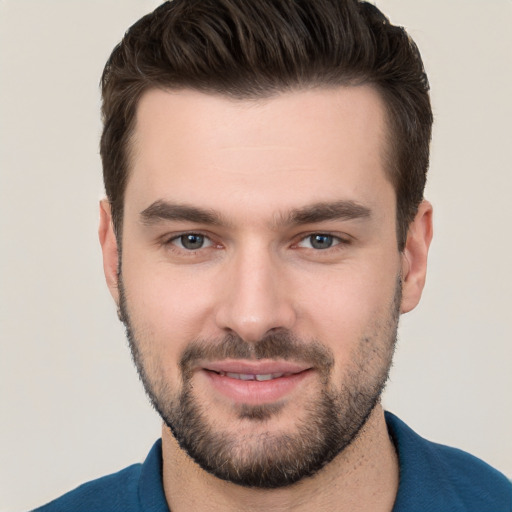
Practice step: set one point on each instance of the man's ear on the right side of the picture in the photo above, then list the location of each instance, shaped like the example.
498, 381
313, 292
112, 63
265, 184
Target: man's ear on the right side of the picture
414, 257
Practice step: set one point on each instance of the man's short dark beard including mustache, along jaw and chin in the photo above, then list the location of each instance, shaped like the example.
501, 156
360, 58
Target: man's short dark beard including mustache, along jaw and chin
259, 457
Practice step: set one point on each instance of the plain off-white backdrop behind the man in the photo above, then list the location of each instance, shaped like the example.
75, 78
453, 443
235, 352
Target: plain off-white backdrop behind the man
72, 408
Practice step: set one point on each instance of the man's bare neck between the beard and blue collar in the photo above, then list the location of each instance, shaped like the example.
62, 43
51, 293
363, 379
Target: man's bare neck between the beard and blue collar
363, 477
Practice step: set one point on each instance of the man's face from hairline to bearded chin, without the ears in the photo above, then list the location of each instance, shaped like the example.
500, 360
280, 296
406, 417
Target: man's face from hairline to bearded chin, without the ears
260, 279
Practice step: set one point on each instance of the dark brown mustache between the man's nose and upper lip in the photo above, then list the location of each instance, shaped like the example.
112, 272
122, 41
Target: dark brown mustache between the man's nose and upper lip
281, 345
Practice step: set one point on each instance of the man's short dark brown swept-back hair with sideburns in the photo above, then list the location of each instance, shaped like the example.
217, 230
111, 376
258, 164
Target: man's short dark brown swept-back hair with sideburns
249, 49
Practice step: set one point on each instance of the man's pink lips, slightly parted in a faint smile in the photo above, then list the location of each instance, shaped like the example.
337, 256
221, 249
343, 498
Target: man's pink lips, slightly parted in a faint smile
253, 392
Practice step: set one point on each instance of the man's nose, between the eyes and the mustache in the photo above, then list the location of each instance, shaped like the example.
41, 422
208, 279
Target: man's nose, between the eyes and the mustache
255, 298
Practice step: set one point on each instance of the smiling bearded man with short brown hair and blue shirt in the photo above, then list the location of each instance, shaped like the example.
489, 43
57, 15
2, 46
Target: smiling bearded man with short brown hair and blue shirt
265, 227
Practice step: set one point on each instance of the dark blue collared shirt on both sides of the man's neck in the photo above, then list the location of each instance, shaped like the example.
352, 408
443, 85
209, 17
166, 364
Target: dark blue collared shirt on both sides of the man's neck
433, 478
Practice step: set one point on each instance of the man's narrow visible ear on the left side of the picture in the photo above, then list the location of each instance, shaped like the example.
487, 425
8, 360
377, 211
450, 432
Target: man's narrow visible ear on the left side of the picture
109, 249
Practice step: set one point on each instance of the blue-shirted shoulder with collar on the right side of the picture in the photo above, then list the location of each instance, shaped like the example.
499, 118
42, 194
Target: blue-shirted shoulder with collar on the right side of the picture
433, 475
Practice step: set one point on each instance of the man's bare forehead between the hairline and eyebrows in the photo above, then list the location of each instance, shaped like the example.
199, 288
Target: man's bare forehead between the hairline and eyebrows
286, 150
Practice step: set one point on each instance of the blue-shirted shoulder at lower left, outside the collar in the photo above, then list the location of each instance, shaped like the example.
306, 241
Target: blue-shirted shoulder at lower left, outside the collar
115, 492
